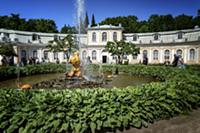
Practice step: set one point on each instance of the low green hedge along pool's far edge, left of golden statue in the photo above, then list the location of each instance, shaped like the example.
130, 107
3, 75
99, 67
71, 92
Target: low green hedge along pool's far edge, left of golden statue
11, 71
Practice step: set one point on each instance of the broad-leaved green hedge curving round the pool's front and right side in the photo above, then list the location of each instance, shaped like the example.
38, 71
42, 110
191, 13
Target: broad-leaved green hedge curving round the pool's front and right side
85, 110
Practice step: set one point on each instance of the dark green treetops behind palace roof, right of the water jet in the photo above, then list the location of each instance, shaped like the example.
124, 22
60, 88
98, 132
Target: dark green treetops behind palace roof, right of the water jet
155, 23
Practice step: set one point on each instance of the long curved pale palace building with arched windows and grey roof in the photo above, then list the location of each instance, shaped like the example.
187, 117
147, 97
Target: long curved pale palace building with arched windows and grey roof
158, 46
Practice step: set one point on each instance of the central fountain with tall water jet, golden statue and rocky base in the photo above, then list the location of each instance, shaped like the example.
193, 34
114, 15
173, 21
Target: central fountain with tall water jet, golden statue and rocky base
80, 75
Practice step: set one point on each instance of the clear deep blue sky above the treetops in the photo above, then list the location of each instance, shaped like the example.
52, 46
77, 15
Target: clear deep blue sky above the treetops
62, 11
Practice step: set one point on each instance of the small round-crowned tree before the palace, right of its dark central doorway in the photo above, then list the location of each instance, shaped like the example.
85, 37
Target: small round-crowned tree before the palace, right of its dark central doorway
120, 49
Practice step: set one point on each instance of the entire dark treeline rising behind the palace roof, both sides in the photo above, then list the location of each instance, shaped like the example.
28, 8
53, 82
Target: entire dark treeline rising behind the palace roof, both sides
131, 24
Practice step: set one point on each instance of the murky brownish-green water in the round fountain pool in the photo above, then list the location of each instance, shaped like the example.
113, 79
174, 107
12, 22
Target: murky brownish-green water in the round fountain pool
121, 80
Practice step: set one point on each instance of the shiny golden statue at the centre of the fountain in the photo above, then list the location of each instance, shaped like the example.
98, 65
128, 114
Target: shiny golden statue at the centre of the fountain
76, 70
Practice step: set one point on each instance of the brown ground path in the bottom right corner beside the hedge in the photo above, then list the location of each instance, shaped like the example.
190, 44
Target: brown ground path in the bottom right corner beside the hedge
181, 124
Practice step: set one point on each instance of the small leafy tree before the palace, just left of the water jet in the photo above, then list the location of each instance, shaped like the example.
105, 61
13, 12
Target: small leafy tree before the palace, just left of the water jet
66, 45
